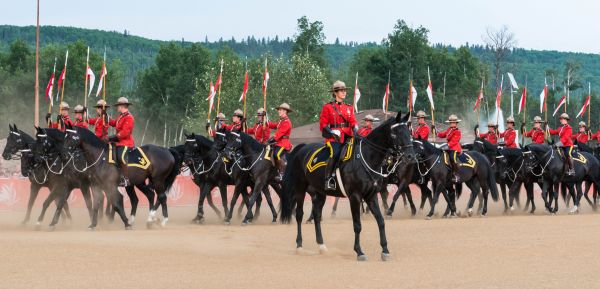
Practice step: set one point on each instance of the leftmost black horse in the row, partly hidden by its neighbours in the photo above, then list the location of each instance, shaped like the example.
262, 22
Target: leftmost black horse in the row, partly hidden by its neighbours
19, 145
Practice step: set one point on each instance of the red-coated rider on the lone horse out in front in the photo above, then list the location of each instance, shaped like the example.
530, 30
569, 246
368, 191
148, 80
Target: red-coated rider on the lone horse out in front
337, 124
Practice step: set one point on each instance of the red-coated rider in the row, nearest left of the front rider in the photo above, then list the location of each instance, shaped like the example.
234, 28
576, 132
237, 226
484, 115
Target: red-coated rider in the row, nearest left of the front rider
281, 140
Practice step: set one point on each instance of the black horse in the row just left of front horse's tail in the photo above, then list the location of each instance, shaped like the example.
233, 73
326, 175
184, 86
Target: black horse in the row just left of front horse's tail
251, 166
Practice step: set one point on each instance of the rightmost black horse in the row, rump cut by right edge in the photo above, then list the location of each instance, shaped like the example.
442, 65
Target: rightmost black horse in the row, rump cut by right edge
545, 161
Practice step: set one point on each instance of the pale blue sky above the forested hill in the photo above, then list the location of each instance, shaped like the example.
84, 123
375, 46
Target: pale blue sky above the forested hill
542, 25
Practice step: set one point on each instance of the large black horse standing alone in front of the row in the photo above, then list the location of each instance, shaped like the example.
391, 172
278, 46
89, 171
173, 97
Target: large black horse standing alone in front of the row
359, 178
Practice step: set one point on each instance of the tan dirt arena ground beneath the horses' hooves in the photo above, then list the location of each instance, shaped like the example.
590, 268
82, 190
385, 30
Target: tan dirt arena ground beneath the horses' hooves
518, 251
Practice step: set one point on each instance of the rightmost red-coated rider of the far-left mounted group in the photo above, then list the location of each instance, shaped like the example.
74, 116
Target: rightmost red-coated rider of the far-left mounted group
124, 126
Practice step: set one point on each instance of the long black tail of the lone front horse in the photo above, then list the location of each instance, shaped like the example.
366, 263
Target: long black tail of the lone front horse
288, 202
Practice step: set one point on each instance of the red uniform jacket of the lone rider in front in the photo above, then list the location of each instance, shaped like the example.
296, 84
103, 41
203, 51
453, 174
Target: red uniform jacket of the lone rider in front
339, 117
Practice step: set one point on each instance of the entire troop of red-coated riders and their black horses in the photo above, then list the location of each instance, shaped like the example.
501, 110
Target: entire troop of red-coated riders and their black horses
353, 162
